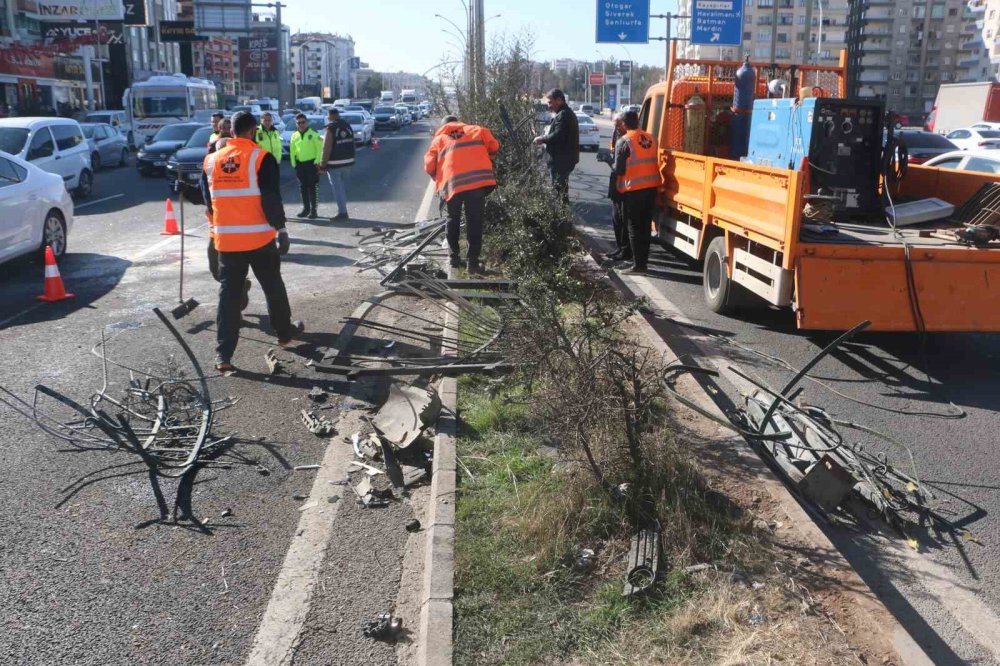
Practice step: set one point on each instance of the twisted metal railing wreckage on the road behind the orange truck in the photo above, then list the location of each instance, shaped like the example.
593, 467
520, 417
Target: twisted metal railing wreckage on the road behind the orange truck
806, 447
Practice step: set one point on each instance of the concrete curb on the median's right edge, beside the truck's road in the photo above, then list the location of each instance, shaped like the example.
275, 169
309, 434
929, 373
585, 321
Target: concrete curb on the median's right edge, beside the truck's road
907, 650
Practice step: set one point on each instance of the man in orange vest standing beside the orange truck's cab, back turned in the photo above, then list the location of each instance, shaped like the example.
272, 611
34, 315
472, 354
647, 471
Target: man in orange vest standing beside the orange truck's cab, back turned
638, 175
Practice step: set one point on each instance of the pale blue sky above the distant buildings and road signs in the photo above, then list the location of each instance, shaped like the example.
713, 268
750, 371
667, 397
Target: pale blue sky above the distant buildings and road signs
405, 35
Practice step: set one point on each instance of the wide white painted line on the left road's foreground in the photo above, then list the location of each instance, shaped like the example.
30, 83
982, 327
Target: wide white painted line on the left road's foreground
291, 598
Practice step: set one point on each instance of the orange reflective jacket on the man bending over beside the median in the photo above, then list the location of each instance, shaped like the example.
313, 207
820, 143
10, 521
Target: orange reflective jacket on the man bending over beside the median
459, 159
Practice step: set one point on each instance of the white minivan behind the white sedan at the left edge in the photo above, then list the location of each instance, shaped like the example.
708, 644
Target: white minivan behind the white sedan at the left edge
55, 145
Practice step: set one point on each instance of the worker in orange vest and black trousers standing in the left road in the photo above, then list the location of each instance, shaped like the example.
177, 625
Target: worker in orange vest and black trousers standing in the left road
242, 190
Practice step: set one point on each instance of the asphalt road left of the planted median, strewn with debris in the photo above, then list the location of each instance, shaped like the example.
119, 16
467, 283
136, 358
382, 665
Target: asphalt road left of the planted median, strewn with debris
87, 574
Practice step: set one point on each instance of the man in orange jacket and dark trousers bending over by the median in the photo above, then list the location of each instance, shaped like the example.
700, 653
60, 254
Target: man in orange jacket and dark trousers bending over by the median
460, 160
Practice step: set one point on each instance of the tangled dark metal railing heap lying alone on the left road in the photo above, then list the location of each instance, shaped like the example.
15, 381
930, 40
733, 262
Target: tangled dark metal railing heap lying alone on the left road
163, 417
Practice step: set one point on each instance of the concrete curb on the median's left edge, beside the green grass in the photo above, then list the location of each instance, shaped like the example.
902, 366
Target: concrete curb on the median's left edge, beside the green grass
436, 609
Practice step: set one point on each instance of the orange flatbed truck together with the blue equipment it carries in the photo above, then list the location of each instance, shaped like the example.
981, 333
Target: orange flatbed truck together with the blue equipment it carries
765, 233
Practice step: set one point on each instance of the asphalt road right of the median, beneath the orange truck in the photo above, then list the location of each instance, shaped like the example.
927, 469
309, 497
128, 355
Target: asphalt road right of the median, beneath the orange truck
948, 593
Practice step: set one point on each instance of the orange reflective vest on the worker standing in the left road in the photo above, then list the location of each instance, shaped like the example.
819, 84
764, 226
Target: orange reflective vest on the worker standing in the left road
238, 220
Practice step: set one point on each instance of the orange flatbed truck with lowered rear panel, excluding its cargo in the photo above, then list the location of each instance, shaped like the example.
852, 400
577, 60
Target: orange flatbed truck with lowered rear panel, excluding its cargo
744, 222
